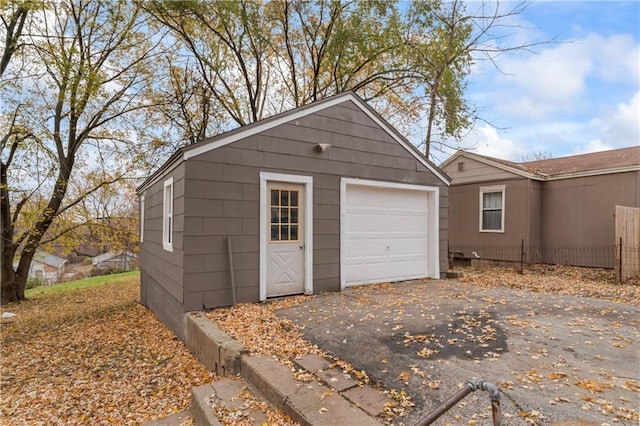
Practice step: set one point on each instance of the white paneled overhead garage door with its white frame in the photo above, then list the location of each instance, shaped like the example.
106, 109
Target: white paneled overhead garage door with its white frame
389, 232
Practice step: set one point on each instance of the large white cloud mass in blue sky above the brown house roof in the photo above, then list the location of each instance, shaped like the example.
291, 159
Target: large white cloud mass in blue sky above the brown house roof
569, 98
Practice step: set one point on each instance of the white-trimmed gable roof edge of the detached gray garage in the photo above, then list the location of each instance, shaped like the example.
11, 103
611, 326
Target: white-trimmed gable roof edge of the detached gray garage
243, 132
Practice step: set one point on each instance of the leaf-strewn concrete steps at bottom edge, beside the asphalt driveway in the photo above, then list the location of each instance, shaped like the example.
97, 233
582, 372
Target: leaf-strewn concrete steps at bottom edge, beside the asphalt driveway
266, 379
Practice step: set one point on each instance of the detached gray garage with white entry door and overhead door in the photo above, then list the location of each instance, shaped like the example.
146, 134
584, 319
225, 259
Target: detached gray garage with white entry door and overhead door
317, 199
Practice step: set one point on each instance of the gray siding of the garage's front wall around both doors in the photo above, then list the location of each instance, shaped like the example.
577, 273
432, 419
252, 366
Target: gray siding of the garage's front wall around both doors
222, 197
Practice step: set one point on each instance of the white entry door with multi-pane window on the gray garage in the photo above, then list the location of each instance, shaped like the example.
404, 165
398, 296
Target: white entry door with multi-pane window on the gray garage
286, 239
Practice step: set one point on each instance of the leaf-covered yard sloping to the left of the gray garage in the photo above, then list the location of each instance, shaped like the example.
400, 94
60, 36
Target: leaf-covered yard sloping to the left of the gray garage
92, 356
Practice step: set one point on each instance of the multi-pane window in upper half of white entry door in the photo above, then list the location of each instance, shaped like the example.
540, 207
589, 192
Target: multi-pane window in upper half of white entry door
284, 215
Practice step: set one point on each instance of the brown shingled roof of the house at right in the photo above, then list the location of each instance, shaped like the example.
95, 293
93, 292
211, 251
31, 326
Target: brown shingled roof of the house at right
596, 163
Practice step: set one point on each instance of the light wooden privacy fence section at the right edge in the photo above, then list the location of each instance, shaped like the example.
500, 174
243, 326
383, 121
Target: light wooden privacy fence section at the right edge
628, 241
